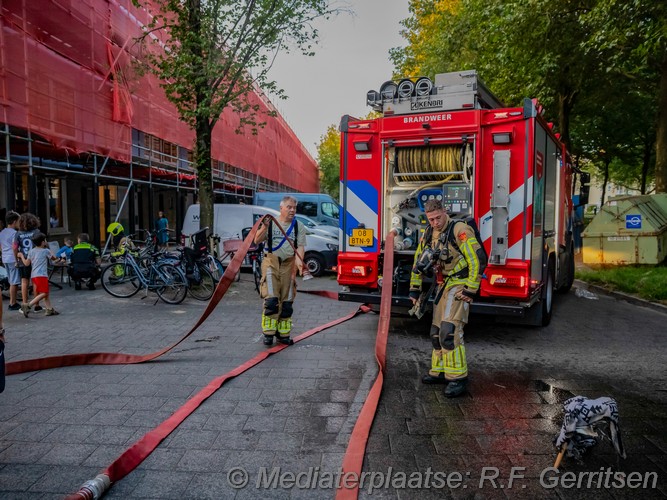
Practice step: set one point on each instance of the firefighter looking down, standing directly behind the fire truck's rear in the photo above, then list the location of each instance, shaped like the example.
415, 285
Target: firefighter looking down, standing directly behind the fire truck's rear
450, 254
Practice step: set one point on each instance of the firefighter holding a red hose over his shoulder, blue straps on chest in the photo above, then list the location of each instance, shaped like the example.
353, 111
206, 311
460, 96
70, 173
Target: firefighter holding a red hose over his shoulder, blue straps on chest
279, 266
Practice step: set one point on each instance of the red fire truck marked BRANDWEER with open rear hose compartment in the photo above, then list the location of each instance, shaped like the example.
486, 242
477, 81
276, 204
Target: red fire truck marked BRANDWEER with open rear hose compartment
450, 139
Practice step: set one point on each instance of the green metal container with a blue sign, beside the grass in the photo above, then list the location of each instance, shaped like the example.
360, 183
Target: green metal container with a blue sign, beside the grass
628, 230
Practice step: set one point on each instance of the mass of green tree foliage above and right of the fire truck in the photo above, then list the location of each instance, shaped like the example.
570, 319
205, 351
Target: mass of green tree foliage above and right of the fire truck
583, 59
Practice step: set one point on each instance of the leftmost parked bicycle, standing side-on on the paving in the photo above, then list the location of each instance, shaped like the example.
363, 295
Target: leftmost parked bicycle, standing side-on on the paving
125, 277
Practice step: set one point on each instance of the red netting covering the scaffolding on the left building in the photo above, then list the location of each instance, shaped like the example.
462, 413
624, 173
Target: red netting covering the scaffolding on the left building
66, 74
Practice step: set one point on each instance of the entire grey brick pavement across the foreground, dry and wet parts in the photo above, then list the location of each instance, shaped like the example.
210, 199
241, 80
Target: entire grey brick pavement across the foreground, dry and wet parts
296, 410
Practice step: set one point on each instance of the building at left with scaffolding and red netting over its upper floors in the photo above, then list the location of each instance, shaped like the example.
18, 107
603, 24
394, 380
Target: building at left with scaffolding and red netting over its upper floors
86, 140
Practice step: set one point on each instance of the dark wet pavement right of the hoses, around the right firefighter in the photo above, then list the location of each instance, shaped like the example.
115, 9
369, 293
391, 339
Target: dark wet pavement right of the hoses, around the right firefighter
519, 379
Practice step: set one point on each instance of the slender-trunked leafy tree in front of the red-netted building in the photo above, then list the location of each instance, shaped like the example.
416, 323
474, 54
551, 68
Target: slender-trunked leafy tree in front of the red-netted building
213, 54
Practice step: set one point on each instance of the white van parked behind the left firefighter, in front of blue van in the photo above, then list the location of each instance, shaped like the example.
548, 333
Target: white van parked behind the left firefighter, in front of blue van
321, 252
